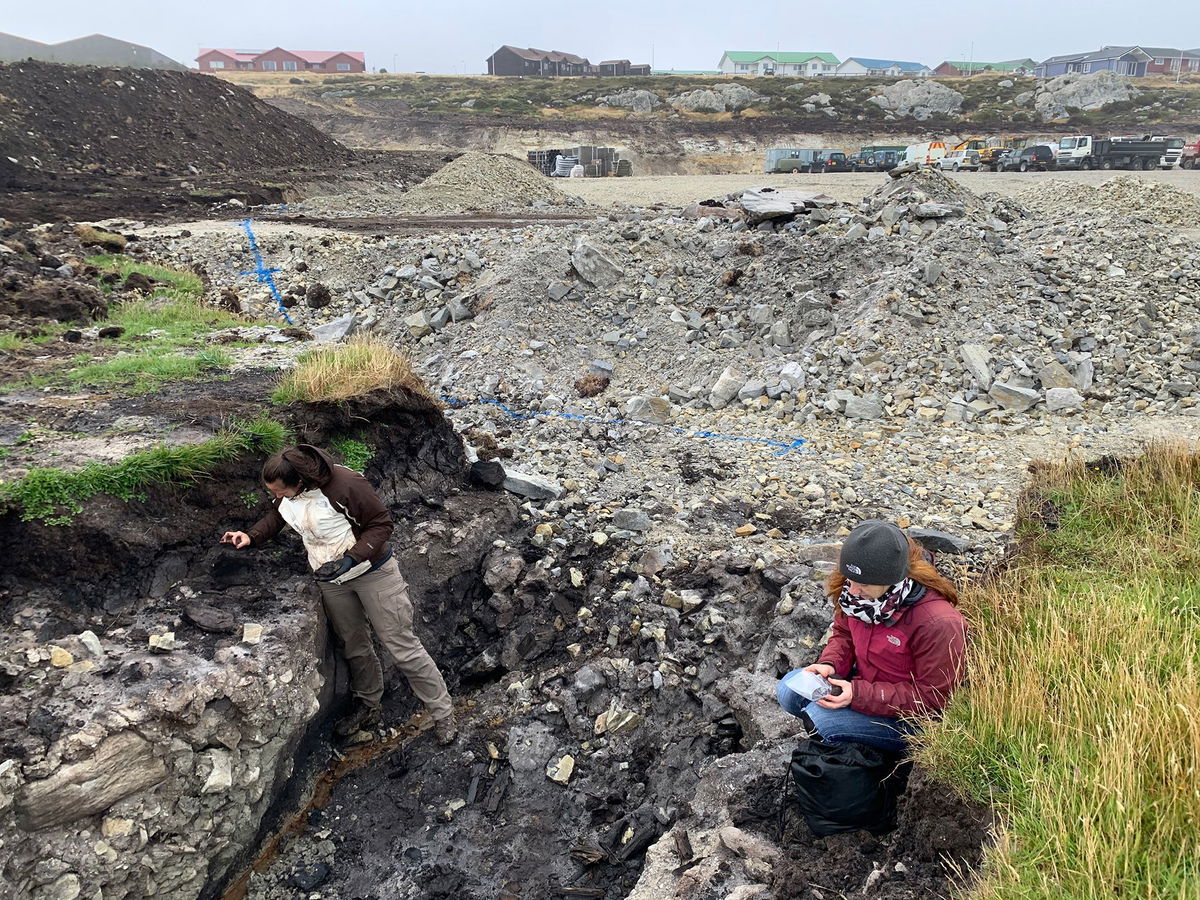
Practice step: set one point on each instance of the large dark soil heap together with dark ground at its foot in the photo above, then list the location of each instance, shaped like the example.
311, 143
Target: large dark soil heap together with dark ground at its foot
86, 143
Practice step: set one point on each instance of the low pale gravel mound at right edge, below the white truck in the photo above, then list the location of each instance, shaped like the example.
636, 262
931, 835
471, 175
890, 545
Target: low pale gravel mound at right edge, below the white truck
1131, 195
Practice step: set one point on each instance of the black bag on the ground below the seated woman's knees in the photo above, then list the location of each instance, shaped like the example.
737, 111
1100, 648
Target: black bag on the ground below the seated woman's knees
845, 788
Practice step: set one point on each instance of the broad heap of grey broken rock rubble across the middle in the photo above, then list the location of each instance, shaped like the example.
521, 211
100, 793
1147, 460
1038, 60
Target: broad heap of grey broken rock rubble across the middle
925, 303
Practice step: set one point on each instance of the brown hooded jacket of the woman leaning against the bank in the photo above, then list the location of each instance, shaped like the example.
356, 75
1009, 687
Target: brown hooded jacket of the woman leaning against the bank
347, 491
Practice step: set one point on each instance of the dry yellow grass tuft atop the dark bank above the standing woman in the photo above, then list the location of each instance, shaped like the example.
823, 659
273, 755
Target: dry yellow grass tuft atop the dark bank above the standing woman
346, 371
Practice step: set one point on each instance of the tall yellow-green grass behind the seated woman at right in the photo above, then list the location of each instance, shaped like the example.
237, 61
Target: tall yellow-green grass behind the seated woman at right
1082, 719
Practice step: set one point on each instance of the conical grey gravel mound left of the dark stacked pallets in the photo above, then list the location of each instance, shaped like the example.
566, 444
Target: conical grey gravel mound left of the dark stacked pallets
483, 182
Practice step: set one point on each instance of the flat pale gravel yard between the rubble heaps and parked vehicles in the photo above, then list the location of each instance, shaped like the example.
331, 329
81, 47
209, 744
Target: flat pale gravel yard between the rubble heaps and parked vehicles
681, 190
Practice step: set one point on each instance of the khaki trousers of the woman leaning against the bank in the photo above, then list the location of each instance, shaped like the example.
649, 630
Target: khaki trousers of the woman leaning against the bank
381, 599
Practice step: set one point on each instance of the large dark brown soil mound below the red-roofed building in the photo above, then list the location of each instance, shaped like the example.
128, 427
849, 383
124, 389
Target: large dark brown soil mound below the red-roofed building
85, 119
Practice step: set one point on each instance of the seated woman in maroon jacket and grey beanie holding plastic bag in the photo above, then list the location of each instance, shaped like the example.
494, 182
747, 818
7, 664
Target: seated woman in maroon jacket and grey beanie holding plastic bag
897, 647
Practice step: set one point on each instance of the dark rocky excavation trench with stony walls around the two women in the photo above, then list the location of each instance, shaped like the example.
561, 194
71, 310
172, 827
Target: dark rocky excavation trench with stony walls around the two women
597, 723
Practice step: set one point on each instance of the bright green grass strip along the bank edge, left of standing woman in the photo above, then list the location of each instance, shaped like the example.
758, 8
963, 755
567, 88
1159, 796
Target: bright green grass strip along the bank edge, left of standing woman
56, 496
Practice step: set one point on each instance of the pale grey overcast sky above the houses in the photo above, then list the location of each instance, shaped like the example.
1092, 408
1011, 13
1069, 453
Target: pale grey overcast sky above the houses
458, 37
